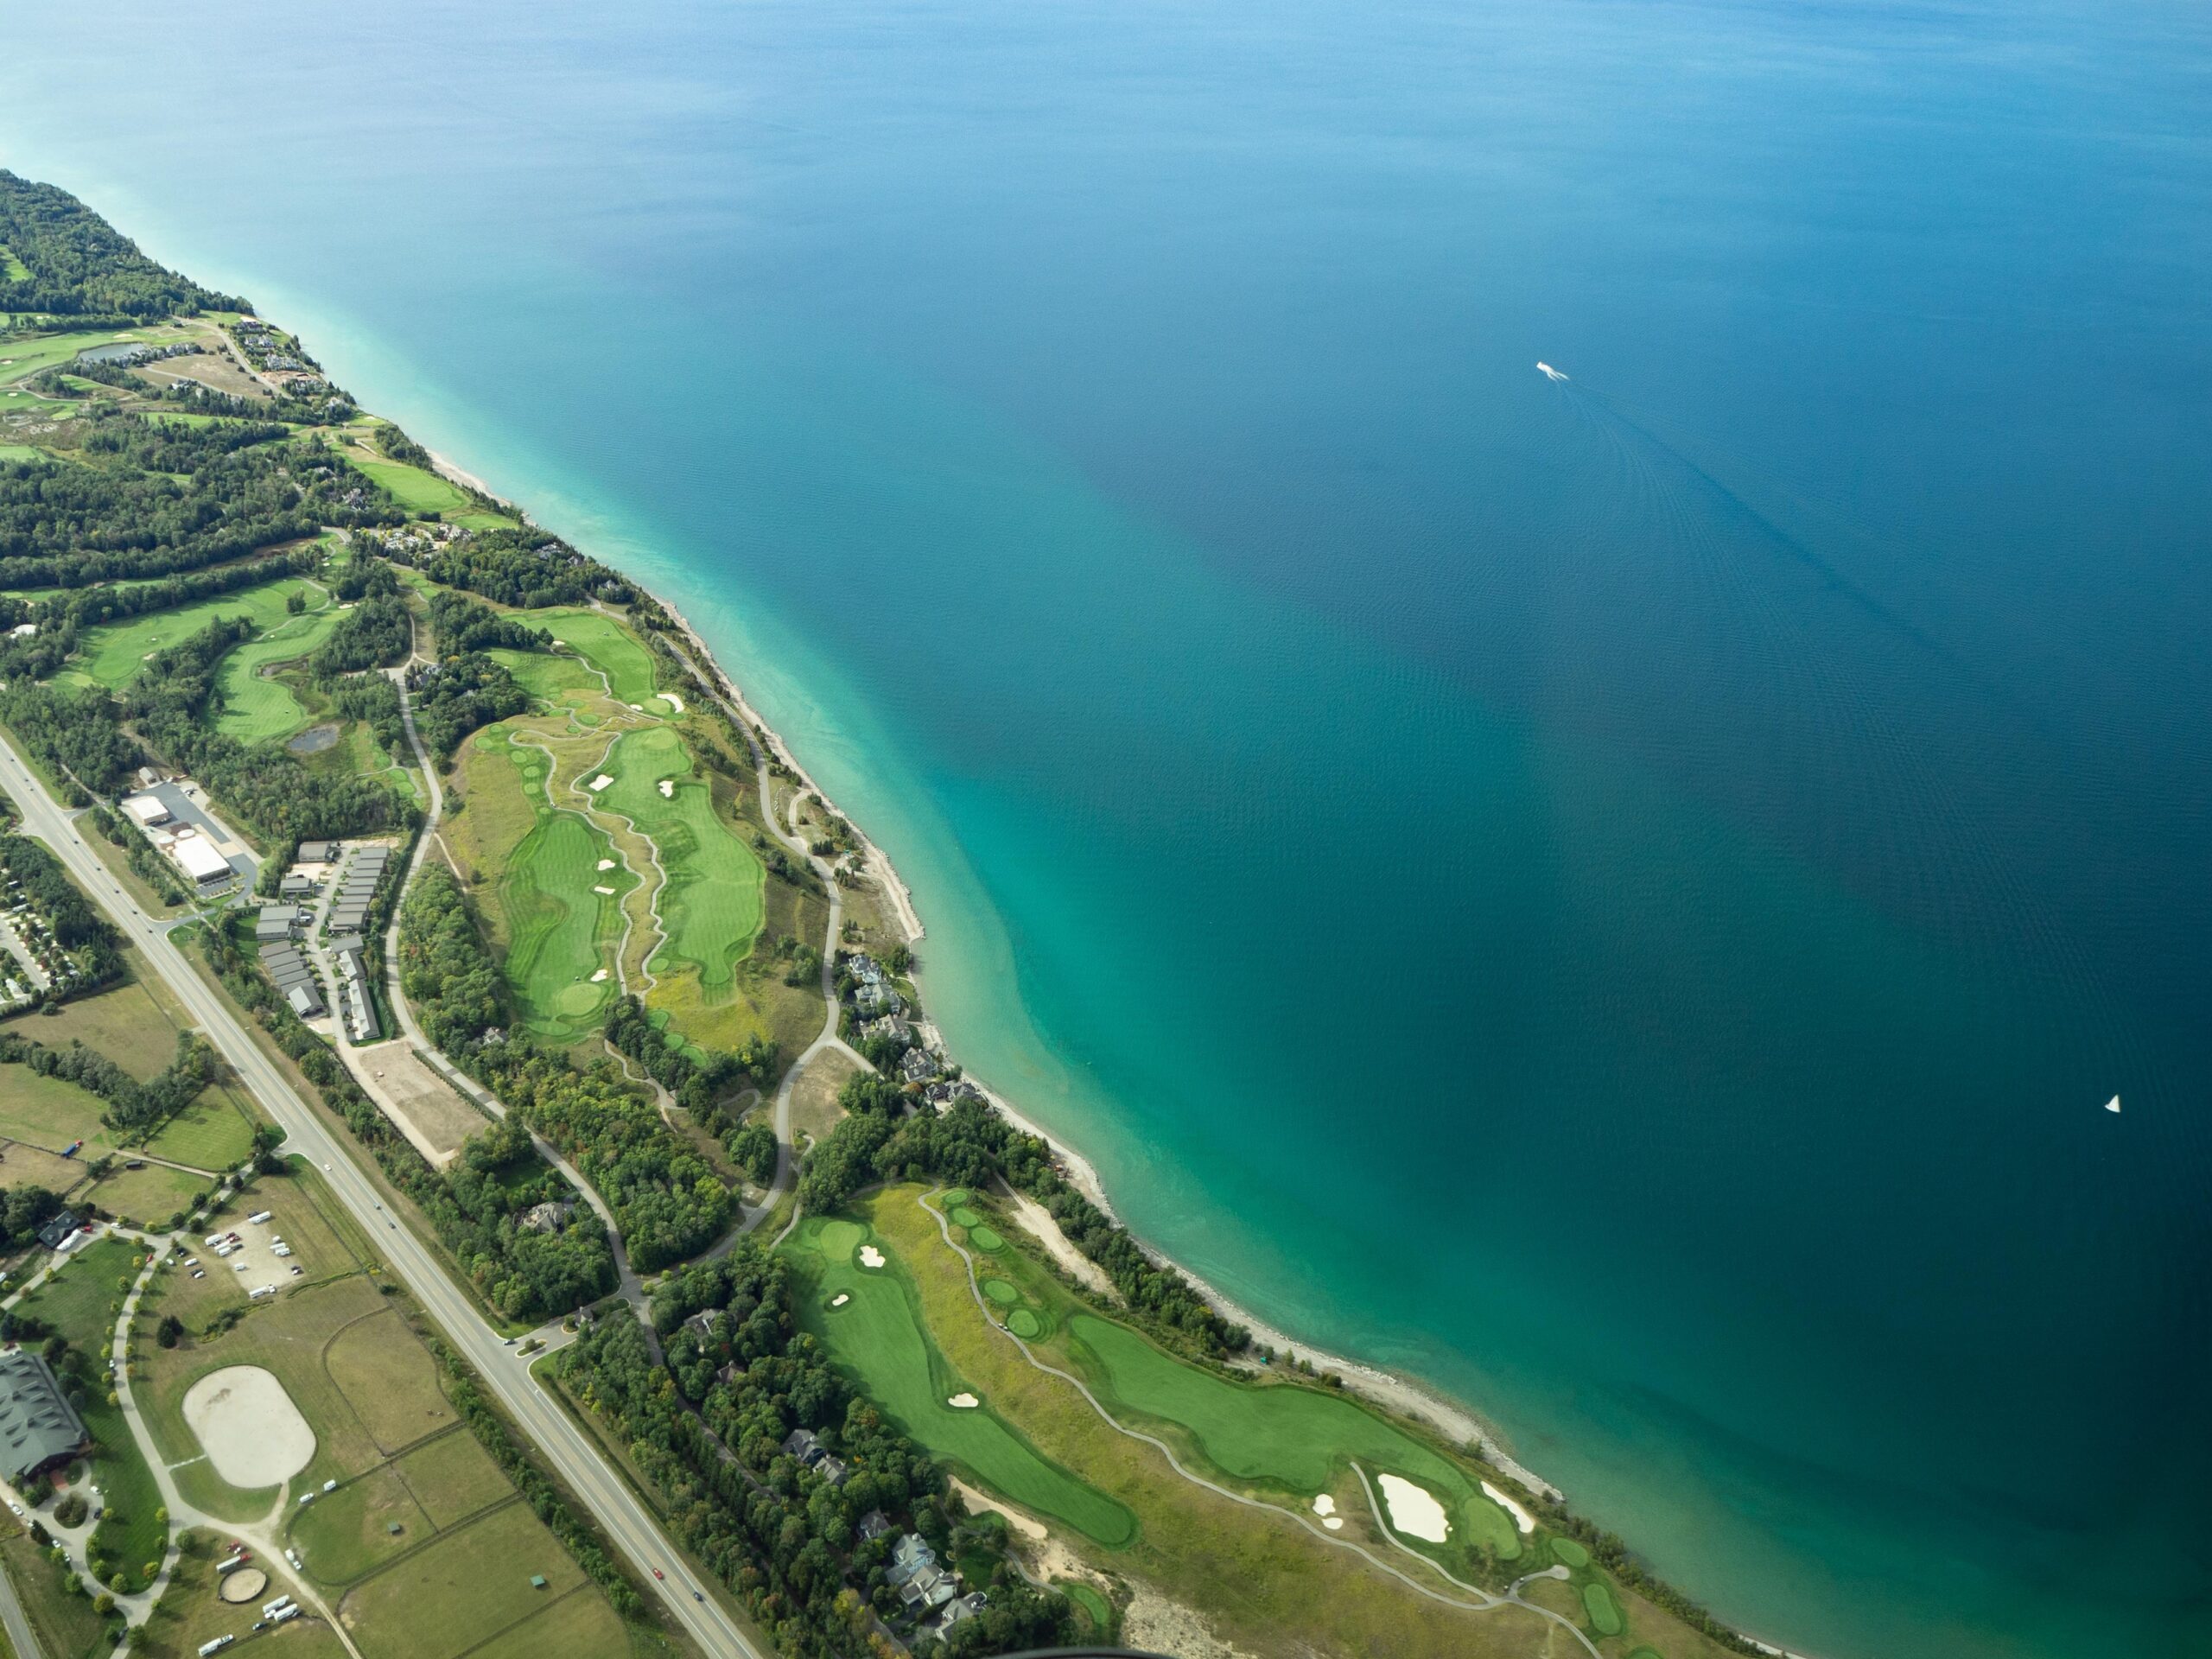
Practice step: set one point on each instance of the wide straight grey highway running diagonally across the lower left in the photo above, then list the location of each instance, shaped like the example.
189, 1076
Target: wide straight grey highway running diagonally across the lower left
625, 1521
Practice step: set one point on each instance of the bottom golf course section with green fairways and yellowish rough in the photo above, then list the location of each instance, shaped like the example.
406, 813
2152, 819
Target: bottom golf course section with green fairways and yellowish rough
1260, 1569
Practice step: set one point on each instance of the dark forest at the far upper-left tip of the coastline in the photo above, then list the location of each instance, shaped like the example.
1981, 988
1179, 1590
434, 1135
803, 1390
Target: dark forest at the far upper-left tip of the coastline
81, 267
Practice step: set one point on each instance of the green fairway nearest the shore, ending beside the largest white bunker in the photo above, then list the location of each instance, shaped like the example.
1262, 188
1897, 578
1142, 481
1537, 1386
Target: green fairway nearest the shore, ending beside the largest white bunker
1286, 1437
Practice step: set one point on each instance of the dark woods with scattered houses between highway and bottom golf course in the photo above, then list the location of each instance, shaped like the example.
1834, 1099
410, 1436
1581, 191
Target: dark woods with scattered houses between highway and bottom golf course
775, 1532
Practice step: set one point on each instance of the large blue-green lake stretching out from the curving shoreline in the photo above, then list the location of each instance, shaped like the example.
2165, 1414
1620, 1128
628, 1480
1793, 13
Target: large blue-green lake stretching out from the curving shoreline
1623, 897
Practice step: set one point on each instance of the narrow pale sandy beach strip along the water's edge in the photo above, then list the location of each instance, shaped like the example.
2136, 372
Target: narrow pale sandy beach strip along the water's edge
1395, 1392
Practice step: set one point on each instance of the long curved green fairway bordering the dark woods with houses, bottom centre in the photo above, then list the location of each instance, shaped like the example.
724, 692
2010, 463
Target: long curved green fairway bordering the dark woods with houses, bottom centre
881, 1339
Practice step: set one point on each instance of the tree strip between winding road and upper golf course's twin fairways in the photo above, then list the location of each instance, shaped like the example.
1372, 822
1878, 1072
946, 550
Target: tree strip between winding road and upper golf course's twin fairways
667, 1200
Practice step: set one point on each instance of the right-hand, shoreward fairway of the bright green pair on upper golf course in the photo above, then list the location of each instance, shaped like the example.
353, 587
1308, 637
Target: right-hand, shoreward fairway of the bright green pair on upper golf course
711, 906
